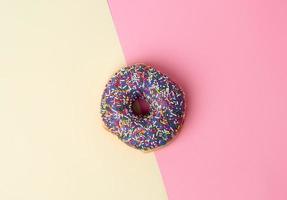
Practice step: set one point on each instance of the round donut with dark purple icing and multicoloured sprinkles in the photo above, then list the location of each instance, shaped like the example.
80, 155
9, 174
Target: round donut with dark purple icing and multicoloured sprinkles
166, 107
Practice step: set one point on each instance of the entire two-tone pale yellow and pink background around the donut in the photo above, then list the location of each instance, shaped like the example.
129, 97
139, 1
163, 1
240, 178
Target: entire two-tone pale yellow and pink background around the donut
229, 57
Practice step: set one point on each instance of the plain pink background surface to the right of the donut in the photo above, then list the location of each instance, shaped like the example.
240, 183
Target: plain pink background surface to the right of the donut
230, 58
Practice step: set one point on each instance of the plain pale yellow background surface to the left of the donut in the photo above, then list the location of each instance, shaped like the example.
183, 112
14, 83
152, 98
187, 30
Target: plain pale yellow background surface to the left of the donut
55, 58
